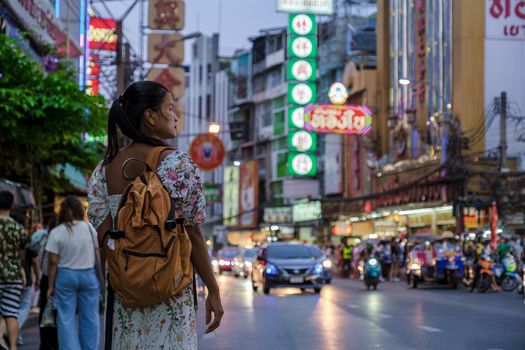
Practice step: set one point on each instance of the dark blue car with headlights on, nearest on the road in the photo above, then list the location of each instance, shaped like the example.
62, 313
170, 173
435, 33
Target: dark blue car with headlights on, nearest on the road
287, 265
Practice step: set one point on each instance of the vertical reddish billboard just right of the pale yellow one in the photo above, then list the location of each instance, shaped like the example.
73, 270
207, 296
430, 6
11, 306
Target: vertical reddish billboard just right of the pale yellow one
249, 194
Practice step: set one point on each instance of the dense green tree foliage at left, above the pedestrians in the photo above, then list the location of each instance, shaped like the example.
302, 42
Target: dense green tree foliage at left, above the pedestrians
43, 117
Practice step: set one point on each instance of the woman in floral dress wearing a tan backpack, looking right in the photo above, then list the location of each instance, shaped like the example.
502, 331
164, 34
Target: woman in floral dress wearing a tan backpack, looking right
146, 201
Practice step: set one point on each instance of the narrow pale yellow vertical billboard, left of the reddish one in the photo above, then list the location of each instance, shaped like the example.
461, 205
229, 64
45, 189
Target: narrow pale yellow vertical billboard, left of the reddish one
230, 212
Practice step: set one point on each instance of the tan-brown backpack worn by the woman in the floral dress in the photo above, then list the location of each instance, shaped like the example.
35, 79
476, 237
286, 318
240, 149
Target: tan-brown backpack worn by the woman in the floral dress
148, 252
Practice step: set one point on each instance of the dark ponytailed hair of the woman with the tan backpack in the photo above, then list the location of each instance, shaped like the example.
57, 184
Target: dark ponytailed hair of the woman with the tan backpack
127, 113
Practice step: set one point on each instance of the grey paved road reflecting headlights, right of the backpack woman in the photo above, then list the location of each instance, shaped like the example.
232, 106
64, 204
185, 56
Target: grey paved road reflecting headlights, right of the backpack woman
346, 316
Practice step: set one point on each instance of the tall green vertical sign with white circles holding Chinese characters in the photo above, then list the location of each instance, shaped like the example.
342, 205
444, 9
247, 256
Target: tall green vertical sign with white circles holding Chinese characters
302, 90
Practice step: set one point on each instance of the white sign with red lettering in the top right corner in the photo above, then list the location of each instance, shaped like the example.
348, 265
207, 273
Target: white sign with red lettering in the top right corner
505, 19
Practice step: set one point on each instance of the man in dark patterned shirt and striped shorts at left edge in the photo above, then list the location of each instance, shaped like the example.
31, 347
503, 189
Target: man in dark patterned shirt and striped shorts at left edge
12, 279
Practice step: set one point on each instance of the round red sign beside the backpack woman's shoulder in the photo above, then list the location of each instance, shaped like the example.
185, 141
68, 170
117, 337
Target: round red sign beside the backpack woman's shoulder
207, 151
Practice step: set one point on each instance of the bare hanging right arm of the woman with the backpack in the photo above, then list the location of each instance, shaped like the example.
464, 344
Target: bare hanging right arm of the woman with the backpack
202, 263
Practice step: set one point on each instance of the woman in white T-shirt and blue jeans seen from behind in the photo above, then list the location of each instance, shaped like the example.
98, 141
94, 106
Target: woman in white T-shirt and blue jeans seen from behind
73, 281
